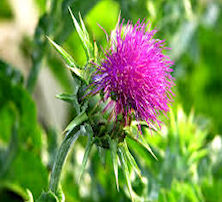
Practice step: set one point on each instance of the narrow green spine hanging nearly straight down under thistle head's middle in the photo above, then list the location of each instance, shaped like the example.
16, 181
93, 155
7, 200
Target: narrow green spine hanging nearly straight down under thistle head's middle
113, 146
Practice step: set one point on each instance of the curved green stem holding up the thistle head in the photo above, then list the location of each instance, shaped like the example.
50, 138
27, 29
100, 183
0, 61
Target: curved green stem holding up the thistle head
71, 136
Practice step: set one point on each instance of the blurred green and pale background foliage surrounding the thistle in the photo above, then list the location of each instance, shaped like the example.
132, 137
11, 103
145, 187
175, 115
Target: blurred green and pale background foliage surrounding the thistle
189, 146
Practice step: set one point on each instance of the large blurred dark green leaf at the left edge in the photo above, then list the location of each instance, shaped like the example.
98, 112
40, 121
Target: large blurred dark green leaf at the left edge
22, 159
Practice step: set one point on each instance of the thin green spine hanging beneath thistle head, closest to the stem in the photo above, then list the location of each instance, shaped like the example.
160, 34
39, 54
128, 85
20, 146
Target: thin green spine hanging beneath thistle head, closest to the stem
88, 149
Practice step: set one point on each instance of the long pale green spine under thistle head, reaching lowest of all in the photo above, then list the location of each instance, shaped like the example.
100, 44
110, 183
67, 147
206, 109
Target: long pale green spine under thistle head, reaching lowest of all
125, 169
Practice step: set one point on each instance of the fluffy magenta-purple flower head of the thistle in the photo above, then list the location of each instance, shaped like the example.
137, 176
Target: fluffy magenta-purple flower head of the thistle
135, 74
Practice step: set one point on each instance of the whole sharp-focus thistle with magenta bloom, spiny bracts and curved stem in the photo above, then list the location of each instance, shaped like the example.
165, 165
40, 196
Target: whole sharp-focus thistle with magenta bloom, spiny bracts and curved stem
116, 96
